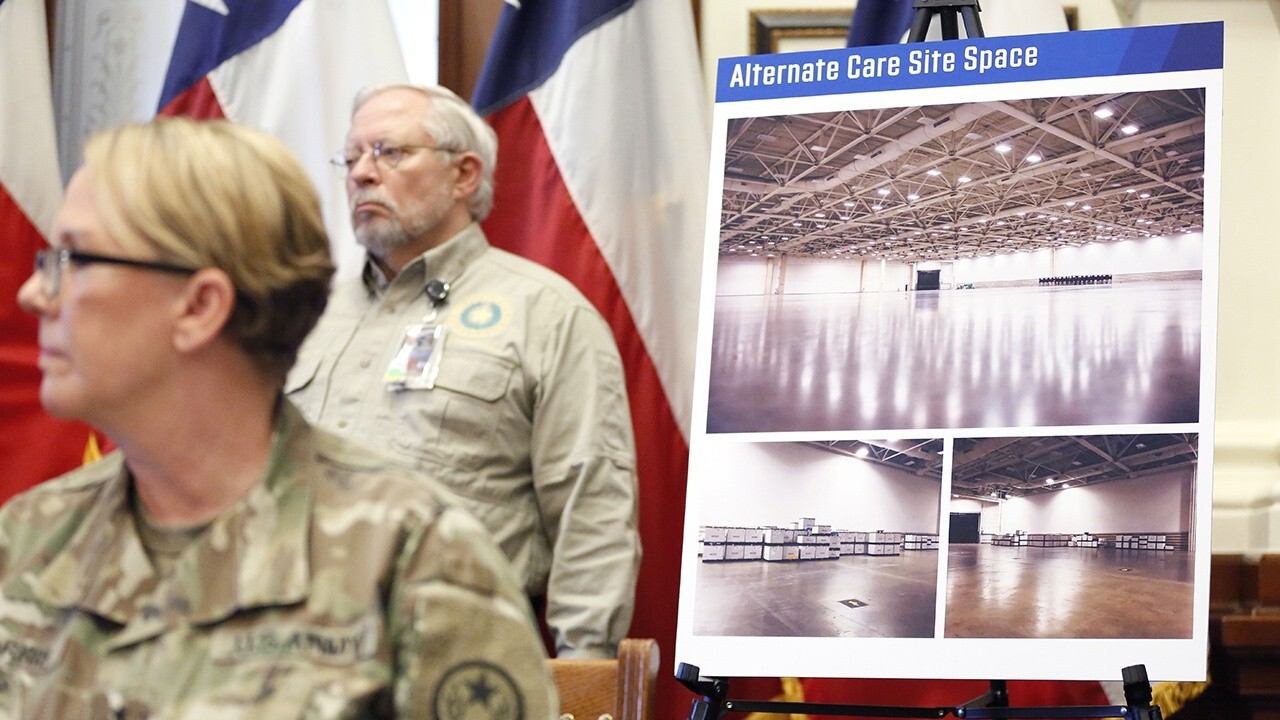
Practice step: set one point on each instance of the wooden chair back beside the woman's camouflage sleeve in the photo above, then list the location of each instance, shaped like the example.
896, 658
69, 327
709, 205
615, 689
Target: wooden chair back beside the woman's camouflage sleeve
610, 690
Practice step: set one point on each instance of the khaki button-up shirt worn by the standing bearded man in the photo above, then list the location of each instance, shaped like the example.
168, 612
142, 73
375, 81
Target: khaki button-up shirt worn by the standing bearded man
528, 422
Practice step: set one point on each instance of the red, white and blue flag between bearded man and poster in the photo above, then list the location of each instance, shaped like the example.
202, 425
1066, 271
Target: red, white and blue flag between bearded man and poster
602, 176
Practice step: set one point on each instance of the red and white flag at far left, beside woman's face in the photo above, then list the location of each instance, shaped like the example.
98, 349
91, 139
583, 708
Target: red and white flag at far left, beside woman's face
34, 446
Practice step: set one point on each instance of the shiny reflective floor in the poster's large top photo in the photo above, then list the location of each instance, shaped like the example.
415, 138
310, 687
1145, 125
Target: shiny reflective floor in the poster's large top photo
991, 358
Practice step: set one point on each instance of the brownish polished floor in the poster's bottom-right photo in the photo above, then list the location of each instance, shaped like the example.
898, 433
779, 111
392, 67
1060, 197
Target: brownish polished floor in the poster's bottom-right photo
1068, 593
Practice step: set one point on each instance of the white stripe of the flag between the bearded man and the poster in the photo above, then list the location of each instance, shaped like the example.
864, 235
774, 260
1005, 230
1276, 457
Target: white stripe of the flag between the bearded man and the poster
655, 148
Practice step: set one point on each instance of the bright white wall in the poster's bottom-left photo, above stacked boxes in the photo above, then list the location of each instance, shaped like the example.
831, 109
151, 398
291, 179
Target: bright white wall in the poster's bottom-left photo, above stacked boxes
752, 485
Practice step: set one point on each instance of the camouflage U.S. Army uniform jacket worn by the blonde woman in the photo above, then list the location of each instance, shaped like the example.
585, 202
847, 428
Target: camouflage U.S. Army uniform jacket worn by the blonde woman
335, 589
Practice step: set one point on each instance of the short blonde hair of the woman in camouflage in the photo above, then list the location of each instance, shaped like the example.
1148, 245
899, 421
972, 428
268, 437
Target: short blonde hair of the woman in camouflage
222, 195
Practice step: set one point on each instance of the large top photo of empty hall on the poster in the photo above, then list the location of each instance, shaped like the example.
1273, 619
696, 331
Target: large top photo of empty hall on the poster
1018, 263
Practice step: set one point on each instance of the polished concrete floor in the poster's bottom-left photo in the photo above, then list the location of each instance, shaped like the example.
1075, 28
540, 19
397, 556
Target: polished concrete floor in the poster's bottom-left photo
854, 596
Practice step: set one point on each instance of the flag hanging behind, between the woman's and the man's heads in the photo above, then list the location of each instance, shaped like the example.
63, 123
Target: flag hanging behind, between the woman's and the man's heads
291, 69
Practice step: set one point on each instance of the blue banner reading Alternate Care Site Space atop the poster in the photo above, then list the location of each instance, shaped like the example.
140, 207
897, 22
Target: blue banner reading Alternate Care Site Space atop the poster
989, 61
